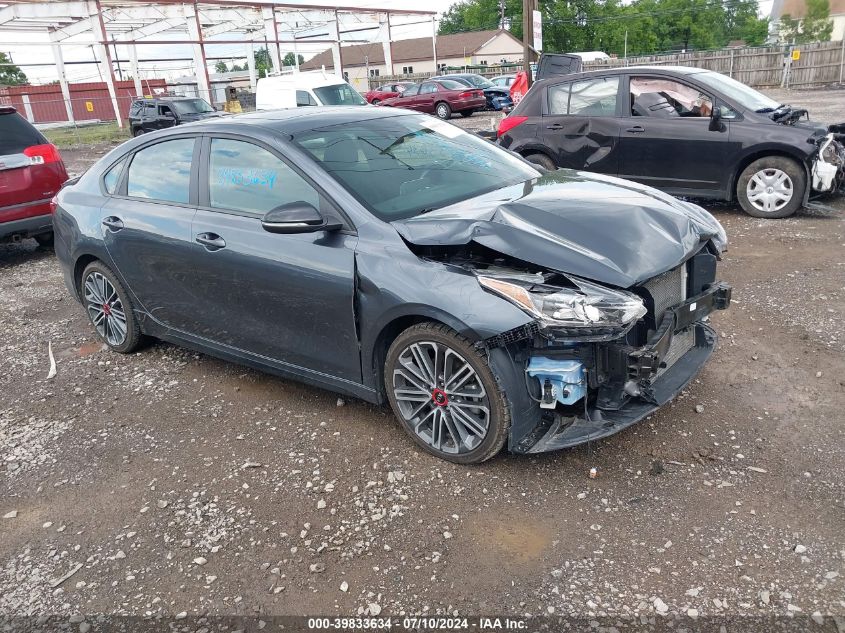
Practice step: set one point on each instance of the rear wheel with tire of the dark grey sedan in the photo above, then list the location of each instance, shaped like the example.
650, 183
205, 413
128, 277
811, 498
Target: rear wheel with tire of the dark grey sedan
109, 308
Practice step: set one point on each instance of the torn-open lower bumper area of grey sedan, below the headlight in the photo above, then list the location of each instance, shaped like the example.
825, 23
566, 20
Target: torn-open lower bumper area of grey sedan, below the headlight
575, 393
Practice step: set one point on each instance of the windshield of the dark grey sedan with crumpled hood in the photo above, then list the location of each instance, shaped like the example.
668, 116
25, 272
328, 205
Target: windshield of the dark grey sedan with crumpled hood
402, 166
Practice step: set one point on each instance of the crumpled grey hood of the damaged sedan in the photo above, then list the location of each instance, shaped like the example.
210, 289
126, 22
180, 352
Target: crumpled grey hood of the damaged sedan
598, 227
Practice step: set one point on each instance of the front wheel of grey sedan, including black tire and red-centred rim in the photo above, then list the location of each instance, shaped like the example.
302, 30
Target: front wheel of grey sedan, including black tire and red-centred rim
444, 393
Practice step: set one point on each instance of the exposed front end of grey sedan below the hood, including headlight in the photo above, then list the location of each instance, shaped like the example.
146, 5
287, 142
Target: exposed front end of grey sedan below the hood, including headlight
596, 360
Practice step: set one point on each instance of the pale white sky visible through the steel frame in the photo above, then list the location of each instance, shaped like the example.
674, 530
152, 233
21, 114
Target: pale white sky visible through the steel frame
10, 43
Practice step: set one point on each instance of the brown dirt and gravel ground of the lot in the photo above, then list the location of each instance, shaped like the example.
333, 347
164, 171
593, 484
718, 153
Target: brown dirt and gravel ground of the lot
174, 483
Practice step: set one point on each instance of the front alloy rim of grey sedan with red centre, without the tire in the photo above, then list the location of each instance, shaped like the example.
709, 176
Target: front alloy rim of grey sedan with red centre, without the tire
441, 397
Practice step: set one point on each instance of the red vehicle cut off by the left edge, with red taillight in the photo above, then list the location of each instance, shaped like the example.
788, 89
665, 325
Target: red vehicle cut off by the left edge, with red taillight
31, 173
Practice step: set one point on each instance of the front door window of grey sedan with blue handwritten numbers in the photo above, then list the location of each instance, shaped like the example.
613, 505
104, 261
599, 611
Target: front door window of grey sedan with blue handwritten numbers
246, 177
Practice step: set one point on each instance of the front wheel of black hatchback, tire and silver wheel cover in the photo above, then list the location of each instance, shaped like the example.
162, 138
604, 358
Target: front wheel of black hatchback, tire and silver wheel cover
771, 187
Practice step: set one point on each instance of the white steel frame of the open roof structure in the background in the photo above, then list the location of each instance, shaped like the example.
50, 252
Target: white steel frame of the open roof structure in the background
200, 24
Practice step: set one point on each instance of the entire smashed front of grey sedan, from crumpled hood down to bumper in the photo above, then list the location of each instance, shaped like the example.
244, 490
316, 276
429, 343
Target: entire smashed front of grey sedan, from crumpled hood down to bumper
567, 385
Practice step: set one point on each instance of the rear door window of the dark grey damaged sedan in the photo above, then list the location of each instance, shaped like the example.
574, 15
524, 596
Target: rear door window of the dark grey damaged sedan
162, 171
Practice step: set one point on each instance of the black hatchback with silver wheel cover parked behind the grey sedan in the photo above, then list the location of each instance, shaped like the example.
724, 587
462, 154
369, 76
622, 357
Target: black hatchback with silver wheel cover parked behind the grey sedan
687, 131
